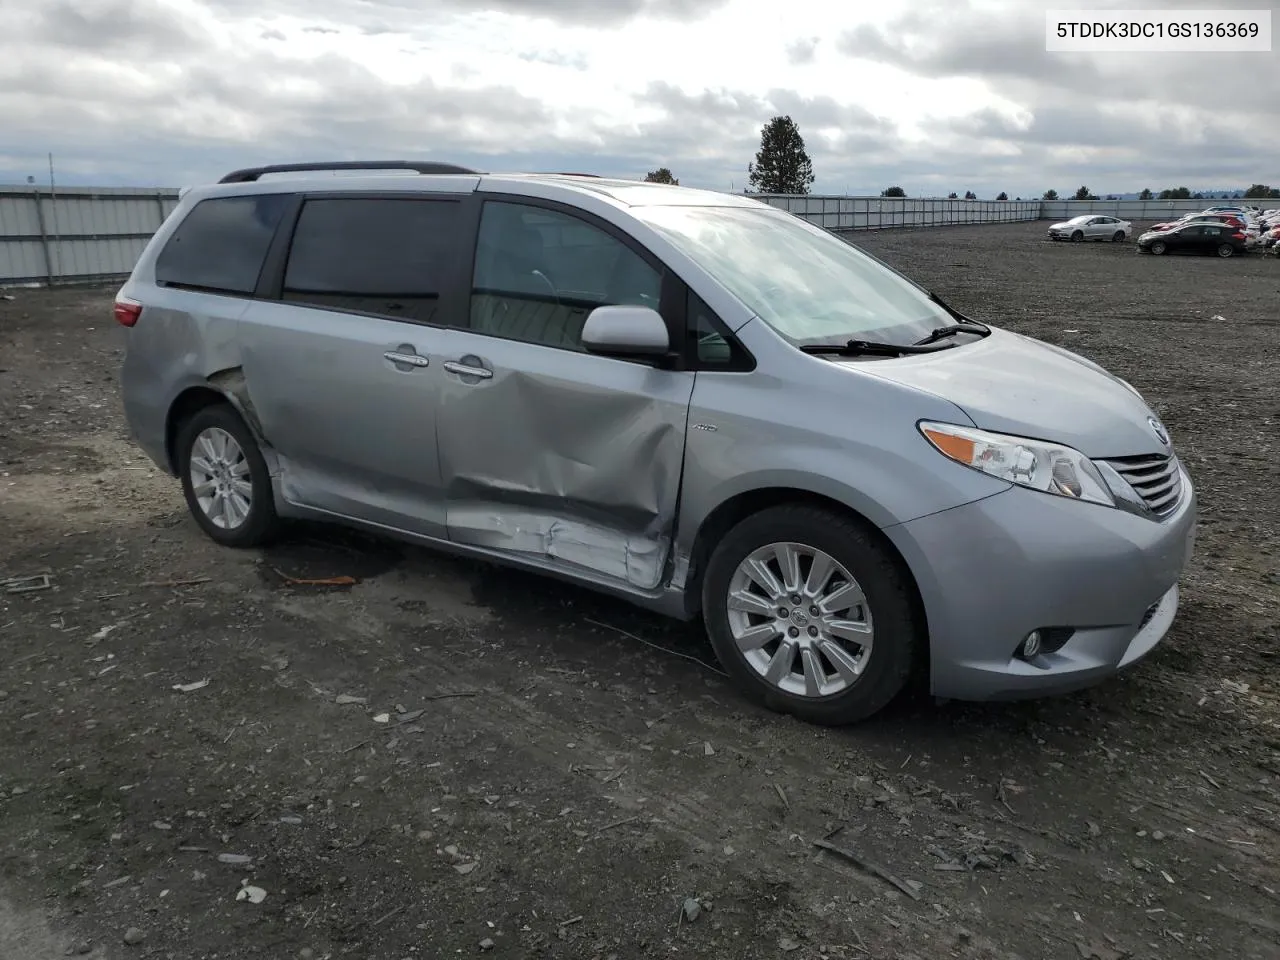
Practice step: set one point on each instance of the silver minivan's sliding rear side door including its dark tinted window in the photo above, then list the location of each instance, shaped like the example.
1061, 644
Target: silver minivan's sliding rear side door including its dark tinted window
345, 369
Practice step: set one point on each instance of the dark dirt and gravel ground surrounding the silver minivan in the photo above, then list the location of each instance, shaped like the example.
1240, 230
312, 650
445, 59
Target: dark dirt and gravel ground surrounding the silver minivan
537, 771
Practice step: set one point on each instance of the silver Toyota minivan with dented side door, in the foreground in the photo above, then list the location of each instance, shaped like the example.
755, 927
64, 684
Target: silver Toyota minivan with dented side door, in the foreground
689, 400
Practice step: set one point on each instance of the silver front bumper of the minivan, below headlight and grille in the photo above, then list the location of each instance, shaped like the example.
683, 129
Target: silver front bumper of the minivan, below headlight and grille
993, 572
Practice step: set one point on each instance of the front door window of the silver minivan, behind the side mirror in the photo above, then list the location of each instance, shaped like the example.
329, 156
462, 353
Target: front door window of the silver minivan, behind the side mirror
540, 273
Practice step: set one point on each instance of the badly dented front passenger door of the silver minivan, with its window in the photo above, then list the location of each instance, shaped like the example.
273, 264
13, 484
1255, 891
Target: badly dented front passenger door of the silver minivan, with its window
550, 454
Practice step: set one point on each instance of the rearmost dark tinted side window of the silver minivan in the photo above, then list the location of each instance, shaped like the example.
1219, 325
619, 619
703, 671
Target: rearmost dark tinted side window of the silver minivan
221, 245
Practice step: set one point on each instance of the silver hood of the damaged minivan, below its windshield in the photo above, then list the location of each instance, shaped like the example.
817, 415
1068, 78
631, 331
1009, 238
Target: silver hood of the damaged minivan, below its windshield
1020, 386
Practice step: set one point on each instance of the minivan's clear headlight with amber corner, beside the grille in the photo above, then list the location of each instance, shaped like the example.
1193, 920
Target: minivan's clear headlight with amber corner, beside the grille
1049, 468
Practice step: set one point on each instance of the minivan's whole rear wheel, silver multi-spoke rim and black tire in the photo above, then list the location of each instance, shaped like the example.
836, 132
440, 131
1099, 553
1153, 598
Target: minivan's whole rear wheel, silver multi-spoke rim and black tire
226, 479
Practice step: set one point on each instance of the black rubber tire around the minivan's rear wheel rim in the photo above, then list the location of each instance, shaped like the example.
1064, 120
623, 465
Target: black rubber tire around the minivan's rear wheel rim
262, 524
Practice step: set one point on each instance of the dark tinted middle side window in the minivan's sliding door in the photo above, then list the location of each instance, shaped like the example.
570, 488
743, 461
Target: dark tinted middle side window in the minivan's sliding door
386, 257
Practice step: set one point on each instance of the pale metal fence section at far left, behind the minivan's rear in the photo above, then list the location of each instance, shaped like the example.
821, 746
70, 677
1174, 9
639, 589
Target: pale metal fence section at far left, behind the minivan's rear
76, 234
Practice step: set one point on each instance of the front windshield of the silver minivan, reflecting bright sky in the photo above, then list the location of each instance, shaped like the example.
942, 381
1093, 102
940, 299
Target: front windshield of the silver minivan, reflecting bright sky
807, 284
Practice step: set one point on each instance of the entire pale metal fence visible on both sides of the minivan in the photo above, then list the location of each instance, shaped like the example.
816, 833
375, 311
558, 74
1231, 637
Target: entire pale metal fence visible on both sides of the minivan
88, 234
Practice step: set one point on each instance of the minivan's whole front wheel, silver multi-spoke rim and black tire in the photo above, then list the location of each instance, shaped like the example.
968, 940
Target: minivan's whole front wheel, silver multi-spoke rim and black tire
811, 615
